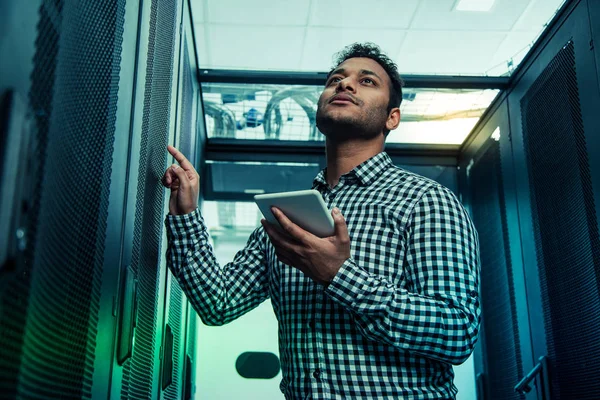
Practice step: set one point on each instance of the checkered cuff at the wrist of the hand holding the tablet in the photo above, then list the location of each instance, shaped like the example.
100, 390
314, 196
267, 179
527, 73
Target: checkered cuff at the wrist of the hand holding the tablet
349, 285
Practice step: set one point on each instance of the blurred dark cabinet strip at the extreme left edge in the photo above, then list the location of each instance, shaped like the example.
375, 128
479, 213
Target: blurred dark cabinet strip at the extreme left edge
17, 133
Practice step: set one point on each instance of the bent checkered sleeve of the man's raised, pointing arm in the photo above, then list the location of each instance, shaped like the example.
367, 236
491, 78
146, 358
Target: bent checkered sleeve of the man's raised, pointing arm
219, 295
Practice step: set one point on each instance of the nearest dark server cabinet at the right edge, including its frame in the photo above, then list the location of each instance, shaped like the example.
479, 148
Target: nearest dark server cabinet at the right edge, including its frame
553, 108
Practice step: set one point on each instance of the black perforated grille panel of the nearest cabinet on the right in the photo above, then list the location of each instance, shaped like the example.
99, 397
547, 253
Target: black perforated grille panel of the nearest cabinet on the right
565, 227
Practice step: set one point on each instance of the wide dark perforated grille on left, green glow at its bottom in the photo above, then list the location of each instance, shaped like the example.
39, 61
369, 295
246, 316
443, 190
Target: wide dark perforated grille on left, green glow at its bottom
74, 95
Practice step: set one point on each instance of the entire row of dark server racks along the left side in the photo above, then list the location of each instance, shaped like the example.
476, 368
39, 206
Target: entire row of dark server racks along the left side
89, 103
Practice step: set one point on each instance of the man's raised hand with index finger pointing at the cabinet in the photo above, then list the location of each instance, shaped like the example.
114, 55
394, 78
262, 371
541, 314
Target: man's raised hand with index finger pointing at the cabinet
184, 182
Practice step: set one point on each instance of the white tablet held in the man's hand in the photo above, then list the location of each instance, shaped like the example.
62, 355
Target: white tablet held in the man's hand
305, 208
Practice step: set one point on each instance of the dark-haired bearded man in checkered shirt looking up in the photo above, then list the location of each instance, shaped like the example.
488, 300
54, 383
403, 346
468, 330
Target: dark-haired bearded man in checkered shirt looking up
382, 308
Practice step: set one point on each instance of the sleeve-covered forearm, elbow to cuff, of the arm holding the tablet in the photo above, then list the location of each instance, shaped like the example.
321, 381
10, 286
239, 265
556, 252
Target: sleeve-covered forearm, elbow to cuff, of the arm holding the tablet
437, 326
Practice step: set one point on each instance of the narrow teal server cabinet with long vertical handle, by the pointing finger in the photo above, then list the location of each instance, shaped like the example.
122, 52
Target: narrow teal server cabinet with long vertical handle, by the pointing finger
137, 360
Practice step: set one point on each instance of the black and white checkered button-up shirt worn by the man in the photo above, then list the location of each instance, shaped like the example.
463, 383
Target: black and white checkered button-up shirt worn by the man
400, 311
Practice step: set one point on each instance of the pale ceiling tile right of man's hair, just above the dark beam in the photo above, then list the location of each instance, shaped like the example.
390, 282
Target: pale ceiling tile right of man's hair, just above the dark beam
448, 52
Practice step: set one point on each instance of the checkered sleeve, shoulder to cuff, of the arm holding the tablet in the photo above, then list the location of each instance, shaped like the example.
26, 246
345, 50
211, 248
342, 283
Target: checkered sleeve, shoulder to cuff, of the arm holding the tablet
436, 313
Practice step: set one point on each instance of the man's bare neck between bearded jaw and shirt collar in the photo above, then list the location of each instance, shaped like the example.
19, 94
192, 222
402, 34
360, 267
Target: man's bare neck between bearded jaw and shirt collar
343, 157
